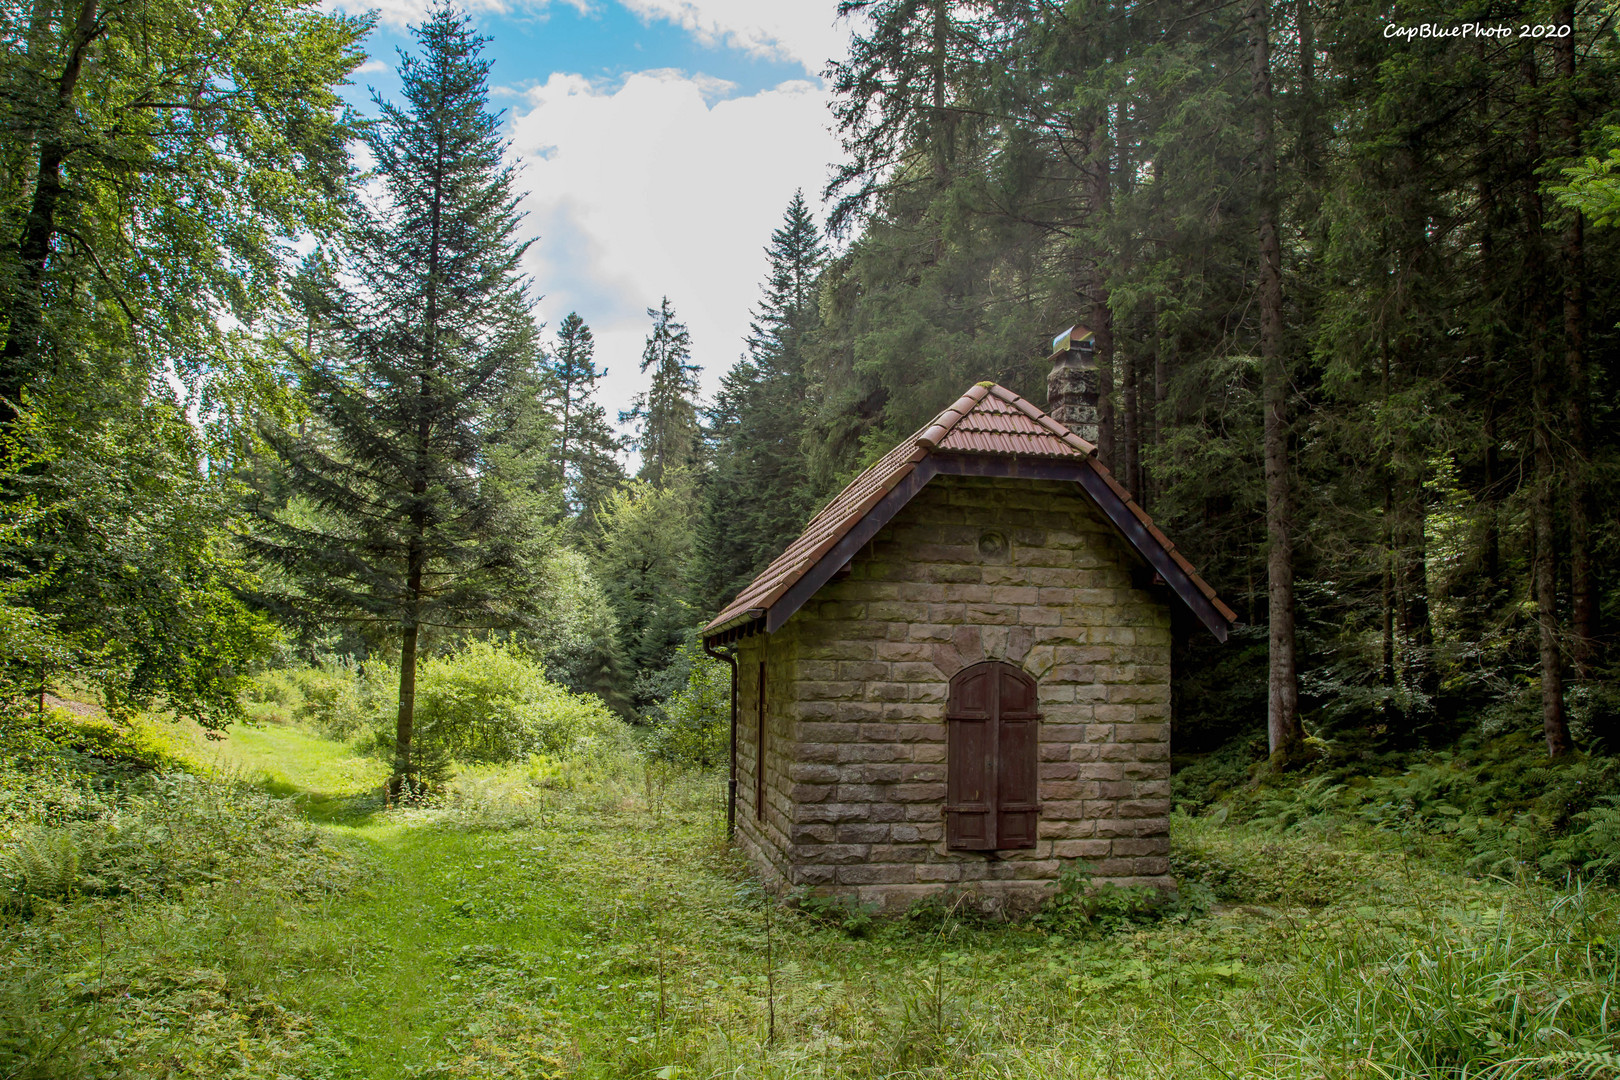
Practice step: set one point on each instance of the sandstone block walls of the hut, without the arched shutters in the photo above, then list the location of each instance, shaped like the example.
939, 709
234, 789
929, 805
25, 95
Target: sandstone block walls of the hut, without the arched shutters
1026, 572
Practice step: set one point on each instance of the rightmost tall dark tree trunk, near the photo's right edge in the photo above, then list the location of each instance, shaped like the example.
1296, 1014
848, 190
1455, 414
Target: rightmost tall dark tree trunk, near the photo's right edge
1584, 577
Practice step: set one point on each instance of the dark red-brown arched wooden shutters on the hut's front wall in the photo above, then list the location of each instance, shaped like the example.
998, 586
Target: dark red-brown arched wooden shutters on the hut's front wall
992, 799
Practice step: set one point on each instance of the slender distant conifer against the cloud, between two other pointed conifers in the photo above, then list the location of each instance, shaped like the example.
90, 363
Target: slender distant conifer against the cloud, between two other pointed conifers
667, 415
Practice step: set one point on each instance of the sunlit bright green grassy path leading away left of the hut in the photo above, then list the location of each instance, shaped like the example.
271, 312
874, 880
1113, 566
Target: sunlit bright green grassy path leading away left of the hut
409, 959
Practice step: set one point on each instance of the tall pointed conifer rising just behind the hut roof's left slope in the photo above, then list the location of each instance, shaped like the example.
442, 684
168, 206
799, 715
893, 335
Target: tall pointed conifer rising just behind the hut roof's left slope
757, 496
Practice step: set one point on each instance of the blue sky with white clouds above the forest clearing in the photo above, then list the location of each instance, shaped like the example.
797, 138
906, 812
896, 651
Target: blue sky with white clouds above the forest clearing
659, 145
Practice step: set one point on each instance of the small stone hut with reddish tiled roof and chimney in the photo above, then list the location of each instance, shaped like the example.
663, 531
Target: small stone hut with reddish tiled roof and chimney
960, 674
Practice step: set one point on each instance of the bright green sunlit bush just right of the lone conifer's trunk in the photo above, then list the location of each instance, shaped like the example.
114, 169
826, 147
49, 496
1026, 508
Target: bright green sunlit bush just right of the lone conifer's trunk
492, 704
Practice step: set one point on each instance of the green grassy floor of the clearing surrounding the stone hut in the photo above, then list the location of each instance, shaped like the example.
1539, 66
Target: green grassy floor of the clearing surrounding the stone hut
592, 922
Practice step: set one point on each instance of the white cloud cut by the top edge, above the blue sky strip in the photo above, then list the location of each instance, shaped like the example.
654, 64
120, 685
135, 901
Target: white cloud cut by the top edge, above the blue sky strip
785, 30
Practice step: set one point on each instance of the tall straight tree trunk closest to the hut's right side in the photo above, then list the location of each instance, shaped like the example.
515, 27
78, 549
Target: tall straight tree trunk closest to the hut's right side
1282, 712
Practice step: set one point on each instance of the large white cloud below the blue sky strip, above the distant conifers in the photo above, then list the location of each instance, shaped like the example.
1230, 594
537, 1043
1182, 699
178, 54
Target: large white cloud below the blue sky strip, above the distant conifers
649, 189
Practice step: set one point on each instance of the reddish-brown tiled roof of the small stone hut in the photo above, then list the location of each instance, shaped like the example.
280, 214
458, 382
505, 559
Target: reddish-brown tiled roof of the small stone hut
986, 422
